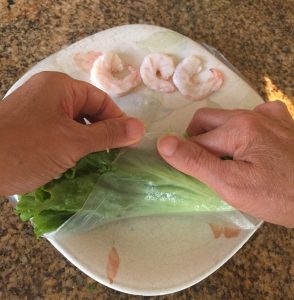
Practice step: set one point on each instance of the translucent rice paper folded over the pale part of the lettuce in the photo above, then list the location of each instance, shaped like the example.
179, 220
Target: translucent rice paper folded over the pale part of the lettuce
142, 184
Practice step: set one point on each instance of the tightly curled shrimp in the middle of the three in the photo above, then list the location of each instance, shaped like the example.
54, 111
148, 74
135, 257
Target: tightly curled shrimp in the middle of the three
156, 71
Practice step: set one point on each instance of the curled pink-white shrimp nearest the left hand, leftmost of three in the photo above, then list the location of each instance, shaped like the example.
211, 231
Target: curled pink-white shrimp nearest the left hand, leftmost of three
102, 75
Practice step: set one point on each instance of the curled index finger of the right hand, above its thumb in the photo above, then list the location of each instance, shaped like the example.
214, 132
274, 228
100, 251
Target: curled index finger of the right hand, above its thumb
206, 119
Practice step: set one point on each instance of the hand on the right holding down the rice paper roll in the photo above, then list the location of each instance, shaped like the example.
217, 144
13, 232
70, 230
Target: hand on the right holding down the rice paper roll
259, 180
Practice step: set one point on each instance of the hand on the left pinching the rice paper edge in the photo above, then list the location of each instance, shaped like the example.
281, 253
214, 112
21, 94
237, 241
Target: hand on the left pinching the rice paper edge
42, 133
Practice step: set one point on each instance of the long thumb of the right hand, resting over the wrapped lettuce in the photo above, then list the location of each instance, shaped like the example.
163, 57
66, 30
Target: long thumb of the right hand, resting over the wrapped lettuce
221, 175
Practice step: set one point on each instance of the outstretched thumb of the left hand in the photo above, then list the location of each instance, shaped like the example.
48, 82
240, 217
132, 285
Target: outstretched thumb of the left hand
111, 133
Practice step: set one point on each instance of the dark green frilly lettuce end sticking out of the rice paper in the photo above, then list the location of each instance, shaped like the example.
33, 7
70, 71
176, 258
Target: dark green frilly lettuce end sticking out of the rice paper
49, 206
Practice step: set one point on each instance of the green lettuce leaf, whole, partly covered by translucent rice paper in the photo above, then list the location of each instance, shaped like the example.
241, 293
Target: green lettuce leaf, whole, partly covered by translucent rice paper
134, 183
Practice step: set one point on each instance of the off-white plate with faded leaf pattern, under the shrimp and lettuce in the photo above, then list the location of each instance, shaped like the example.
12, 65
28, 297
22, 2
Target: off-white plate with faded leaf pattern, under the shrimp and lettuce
157, 255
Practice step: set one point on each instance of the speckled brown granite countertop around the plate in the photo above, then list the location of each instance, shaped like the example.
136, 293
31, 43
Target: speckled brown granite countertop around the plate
255, 36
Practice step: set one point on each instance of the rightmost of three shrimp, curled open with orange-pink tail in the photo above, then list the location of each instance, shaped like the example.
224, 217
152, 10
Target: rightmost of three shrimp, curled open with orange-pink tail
184, 79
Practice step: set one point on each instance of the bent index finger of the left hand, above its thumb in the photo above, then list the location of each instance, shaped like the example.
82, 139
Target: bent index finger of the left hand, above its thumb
93, 103
